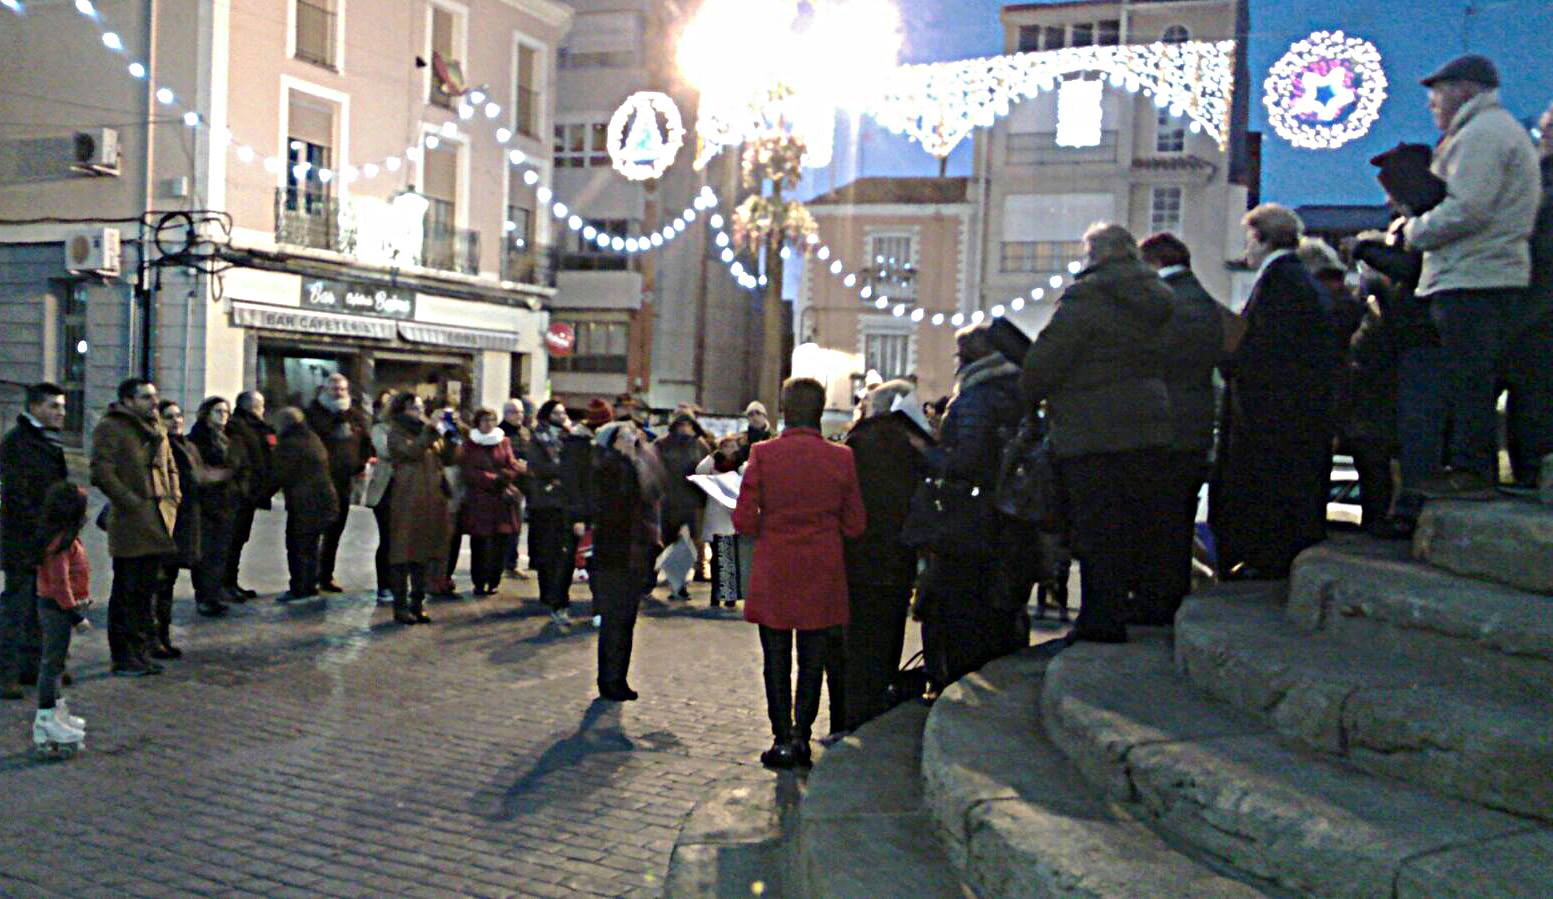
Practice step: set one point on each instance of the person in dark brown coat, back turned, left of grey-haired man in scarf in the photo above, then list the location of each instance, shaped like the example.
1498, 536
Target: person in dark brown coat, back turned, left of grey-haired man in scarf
302, 471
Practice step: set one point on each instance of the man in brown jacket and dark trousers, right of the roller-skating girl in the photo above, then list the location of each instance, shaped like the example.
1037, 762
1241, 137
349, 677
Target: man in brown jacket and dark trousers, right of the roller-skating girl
133, 465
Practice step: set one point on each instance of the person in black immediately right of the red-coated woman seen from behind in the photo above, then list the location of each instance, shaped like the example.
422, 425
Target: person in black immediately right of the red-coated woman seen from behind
880, 568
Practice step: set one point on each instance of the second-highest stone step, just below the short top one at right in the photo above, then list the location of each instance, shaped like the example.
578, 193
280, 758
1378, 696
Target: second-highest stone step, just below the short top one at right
1367, 597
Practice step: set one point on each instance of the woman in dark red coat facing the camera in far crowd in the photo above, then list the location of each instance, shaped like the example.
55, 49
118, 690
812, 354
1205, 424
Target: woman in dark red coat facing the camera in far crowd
490, 513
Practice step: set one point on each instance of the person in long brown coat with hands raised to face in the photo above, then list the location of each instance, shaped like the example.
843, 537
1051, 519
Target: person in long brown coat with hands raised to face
420, 515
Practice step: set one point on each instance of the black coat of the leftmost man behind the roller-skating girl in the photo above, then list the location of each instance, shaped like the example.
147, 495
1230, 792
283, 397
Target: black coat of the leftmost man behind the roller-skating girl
30, 463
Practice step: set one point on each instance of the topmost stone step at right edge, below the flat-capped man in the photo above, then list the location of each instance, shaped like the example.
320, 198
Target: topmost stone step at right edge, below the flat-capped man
1510, 543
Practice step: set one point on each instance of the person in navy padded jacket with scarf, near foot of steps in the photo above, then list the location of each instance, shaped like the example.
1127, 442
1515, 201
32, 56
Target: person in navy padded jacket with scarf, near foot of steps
962, 630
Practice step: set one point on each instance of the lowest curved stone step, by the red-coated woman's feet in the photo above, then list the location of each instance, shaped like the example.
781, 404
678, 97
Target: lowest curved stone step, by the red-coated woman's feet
863, 828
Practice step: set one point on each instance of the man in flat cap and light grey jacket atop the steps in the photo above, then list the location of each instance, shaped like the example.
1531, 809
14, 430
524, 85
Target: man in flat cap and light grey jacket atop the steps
1478, 265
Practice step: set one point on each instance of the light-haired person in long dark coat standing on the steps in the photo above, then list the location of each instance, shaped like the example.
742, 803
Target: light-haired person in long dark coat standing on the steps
1274, 471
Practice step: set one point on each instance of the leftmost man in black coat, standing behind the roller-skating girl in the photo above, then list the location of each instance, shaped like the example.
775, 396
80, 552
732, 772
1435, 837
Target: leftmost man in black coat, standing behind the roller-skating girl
32, 462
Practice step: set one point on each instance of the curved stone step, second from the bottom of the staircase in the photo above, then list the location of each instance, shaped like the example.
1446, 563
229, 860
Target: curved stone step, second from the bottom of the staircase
1016, 816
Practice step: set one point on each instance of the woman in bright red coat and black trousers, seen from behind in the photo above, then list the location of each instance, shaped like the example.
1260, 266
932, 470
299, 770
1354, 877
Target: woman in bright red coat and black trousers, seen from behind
799, 501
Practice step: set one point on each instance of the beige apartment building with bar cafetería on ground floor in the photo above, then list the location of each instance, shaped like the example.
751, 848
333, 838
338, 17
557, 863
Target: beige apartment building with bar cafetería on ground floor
346, 170
